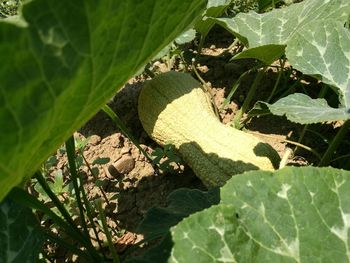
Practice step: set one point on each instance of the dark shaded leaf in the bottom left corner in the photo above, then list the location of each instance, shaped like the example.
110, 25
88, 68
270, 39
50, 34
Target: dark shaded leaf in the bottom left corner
20, 235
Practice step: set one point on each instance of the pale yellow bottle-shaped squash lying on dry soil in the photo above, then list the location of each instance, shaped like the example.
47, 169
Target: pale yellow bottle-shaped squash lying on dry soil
174, 108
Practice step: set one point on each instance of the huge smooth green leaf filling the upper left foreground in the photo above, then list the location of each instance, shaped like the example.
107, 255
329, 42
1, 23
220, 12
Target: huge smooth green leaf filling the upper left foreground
69, 59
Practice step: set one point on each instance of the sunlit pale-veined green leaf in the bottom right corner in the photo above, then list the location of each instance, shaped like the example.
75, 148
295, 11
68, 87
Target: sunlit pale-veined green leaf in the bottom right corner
292, 215
